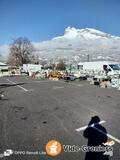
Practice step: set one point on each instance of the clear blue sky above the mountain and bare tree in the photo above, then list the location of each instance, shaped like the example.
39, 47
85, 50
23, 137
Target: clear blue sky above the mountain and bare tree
41, 20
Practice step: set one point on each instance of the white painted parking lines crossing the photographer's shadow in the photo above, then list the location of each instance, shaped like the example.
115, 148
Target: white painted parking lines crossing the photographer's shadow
93, 125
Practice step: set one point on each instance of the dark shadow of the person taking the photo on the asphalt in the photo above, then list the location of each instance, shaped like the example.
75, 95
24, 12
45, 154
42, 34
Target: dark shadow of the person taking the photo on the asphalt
96, 135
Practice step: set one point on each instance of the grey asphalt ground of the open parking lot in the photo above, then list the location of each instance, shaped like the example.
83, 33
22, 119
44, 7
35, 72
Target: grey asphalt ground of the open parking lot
32, 112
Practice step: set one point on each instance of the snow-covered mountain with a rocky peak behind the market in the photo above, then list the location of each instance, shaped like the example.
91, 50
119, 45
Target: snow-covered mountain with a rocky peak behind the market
76, 44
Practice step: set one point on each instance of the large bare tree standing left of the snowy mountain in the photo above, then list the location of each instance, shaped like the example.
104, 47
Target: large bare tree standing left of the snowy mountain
21, 52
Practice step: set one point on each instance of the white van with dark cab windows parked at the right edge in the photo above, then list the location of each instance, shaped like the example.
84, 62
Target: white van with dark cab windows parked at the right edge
108, 68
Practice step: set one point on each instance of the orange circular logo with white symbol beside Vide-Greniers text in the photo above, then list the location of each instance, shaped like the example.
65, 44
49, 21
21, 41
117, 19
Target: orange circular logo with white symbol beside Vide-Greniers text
53, 148
